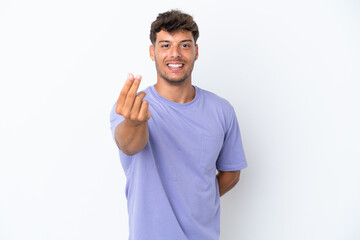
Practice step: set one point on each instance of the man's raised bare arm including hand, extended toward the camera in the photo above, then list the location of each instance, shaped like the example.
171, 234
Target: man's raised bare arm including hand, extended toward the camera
132, 134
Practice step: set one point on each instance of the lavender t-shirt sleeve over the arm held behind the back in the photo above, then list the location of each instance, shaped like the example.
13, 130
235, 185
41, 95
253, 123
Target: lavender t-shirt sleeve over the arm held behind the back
232, 155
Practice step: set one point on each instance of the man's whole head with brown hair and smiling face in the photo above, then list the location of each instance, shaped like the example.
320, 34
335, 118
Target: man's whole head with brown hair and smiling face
173, 35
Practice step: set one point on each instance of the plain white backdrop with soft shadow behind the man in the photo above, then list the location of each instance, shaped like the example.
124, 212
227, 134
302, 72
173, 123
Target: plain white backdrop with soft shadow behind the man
290, 69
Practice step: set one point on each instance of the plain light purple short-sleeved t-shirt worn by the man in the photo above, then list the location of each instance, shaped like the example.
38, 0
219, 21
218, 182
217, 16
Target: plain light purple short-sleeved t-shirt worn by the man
172, 190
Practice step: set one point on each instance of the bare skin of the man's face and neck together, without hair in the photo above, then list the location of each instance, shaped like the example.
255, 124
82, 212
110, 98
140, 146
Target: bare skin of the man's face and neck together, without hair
178, 47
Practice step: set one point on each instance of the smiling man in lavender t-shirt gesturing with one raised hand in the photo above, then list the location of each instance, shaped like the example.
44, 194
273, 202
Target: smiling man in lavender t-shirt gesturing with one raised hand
171, 138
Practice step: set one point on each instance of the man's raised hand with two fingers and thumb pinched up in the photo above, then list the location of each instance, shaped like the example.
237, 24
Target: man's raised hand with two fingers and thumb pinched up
131, 105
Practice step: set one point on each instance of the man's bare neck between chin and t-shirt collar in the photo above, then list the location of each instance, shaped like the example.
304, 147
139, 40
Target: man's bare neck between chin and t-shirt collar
183, 93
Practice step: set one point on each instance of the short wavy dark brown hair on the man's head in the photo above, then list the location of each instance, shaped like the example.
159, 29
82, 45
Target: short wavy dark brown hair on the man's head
172, 21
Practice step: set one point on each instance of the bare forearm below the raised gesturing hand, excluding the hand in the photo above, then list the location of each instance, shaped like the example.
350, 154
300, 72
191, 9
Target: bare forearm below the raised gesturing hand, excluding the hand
131, 138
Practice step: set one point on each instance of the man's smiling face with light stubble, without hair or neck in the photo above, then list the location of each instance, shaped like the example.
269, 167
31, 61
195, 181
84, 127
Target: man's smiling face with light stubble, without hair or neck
174, 55
